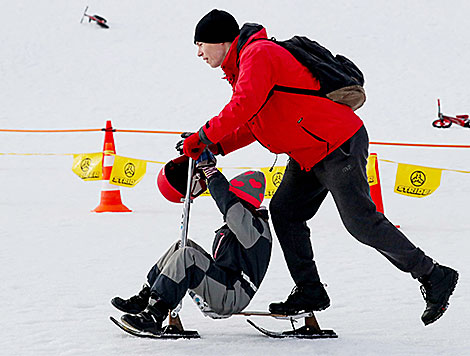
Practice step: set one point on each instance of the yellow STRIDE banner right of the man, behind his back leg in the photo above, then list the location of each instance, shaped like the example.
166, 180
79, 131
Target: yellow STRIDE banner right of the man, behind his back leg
417, 181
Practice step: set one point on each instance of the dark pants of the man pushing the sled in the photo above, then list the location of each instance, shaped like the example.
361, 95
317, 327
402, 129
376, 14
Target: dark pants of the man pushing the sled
343, 174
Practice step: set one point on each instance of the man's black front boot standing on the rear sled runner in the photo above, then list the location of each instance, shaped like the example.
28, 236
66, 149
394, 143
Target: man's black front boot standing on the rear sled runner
305, 298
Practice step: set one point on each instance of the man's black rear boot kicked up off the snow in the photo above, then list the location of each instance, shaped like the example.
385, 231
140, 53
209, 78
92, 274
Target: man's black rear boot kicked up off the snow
437, 288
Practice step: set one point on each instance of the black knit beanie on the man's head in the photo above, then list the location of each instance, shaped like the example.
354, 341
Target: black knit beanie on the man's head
217, 26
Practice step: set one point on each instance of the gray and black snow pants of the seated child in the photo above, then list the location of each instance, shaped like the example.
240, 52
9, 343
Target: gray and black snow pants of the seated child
191, 267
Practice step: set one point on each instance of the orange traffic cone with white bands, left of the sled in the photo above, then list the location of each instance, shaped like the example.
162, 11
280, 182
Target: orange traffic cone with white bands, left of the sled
110, 194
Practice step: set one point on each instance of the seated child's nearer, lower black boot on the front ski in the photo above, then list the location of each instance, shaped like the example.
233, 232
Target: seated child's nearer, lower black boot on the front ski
151, 319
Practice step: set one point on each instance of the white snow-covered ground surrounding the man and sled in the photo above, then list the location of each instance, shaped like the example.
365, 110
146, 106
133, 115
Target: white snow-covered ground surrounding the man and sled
61, 264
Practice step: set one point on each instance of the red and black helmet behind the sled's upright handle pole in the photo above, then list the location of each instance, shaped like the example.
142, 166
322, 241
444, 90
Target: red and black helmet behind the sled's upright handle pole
173, 177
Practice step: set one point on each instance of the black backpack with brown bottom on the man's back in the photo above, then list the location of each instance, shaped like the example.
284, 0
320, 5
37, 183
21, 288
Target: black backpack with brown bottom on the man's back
340, 79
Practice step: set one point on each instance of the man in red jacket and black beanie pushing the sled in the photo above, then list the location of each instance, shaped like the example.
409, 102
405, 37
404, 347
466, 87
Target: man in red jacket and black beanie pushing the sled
328, 148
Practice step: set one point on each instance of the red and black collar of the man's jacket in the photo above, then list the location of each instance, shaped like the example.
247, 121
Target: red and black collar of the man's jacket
248, 33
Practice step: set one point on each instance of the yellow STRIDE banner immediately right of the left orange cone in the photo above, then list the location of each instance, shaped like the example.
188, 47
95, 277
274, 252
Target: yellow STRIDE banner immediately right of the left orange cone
127, 172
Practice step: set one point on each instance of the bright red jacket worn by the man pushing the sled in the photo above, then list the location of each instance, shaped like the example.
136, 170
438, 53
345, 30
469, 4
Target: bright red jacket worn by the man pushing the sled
305, 127
